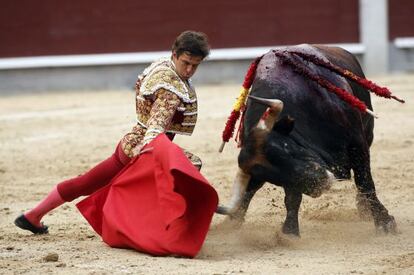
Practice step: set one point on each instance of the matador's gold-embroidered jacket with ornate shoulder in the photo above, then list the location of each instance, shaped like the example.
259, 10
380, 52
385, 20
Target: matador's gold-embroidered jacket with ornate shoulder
164, 103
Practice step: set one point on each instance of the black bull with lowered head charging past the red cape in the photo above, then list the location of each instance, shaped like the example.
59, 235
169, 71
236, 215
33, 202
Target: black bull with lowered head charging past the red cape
311, 138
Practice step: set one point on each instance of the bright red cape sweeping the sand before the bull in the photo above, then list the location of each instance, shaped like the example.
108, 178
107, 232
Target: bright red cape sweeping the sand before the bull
158, 204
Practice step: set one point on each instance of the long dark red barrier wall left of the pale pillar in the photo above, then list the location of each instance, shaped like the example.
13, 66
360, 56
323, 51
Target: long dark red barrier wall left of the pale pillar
50, 27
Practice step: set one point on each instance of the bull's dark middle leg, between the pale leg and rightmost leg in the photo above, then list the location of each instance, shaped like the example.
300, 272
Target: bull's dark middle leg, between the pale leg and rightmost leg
293, 200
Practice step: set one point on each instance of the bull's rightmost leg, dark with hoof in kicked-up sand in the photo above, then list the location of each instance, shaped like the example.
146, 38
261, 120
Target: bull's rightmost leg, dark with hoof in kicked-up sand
366, 189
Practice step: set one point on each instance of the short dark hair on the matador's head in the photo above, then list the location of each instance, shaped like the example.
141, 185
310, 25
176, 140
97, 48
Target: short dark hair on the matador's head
195, 43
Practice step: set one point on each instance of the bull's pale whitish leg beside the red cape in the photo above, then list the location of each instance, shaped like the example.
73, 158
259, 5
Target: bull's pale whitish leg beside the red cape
244, 188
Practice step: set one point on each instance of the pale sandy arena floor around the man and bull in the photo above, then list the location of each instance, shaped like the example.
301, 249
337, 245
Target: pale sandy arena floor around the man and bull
46, 138
